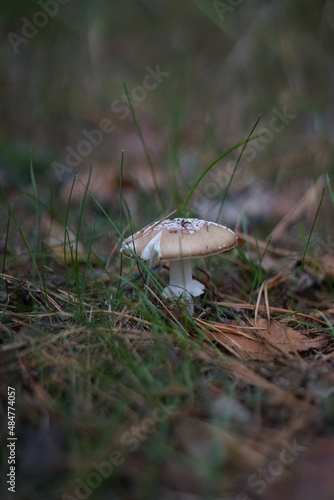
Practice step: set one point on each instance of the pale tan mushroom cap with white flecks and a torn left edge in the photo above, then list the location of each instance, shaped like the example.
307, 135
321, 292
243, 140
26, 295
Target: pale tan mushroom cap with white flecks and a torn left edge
173, 239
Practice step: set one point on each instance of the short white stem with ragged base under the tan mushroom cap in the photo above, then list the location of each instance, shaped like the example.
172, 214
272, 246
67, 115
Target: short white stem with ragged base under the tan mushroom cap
181, 280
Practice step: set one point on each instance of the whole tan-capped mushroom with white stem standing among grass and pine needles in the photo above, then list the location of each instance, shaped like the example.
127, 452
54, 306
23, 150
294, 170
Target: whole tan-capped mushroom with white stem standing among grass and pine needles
179, 240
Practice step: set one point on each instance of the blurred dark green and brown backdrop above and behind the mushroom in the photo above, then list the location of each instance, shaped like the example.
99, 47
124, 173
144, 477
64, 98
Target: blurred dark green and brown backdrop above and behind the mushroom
224, 65
